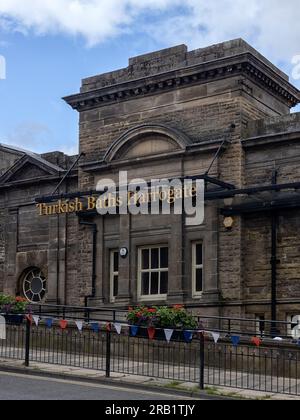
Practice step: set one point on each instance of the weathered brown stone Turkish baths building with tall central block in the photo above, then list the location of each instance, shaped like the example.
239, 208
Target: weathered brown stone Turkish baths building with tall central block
221, 113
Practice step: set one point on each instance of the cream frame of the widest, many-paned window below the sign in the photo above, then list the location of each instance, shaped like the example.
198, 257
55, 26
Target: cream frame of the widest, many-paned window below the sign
146, 298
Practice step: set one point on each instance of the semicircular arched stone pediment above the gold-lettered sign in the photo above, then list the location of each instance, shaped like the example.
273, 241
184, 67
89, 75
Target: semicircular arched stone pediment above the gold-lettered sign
145, 141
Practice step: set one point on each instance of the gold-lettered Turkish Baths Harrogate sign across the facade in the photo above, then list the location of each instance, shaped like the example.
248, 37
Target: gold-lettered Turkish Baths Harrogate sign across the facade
161, 197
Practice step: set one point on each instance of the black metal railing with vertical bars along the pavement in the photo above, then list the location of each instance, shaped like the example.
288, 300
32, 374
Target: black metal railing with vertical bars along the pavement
272, 367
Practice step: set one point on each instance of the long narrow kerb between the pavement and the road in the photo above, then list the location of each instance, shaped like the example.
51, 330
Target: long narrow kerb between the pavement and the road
77, 378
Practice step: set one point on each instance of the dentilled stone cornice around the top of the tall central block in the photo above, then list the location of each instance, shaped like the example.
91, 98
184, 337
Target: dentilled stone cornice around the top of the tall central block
244, 64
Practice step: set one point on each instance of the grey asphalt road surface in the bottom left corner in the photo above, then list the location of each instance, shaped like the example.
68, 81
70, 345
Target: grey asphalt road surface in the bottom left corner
32, 388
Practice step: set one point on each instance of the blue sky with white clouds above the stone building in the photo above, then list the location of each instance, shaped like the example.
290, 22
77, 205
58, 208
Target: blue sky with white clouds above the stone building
50, 45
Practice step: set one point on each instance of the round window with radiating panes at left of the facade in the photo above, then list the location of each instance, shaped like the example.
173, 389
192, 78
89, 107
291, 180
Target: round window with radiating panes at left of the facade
34, 285
